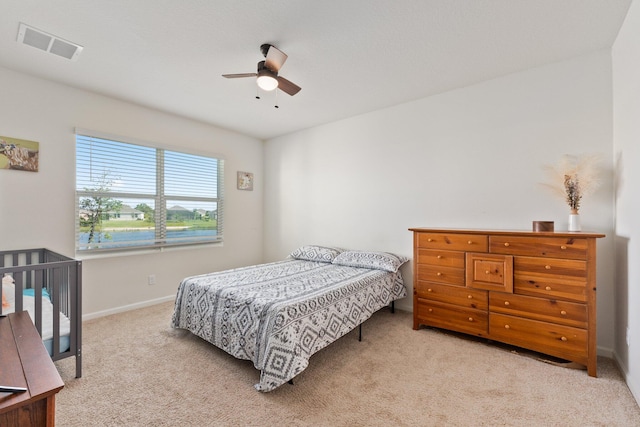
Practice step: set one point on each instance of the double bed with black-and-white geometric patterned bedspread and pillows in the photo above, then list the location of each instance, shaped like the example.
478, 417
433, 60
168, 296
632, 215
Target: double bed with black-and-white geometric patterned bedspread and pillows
279, 314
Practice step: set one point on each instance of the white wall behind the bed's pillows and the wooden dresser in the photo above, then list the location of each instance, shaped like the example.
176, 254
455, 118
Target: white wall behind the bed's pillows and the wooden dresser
469, 158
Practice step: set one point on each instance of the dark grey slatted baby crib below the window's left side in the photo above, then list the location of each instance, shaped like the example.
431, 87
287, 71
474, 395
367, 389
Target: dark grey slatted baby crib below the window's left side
48, 285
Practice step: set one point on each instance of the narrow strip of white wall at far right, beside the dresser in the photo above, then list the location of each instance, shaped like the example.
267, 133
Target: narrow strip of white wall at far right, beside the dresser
626, 78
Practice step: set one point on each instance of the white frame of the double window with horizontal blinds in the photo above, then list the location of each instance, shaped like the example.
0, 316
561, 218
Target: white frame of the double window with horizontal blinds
160, 240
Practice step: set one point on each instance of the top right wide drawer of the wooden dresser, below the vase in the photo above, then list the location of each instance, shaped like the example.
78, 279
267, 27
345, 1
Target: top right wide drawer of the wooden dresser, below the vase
560, 247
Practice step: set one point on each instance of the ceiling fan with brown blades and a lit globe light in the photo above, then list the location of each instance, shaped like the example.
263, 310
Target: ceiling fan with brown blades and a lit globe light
267, 74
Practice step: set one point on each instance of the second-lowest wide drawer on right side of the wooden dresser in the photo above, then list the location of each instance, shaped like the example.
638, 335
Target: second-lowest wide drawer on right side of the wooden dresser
543, 309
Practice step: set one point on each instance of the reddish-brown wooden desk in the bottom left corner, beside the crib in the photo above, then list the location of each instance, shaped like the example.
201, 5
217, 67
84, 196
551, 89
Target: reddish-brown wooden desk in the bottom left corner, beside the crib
24, 362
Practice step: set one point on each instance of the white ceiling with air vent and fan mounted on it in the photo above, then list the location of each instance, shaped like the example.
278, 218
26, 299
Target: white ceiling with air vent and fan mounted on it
349, 56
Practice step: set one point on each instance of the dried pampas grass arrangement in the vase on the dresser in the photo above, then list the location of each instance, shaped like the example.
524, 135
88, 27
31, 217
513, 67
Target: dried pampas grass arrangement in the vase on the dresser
574, 177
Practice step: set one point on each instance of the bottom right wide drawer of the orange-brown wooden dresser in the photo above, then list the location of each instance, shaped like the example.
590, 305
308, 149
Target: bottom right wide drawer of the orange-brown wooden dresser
560, 341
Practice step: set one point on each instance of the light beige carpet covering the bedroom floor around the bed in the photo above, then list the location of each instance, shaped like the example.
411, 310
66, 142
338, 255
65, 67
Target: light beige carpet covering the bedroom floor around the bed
139, 372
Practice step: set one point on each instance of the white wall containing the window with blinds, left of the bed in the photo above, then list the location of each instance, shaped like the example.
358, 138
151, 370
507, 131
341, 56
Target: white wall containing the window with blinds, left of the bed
37, 209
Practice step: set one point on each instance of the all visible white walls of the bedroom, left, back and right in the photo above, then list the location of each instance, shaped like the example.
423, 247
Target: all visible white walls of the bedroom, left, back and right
472, 157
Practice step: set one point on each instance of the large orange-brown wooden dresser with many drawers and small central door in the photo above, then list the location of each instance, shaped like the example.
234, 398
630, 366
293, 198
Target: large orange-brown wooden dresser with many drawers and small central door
535, 290
